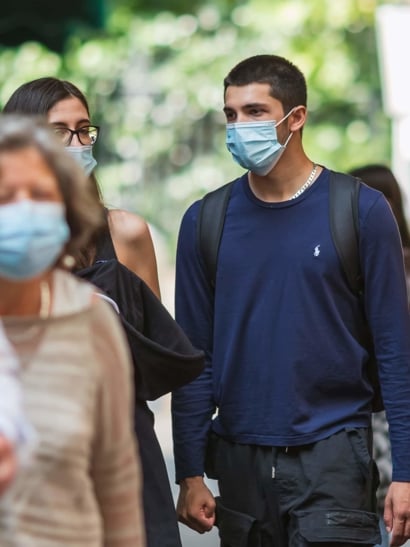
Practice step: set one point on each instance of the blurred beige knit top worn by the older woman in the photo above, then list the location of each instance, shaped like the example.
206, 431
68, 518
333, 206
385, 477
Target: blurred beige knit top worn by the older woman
82, 485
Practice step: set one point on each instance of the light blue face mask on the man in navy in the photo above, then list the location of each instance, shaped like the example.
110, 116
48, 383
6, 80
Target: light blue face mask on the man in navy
255, 145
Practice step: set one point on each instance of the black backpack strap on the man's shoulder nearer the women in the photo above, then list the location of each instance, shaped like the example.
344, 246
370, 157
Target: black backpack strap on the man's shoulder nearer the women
211, 220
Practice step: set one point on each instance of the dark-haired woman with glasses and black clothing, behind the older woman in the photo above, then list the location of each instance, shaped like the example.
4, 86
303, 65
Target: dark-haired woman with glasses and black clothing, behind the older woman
124, 239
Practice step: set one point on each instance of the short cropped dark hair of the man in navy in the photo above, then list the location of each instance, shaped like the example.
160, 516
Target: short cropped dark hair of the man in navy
287, 83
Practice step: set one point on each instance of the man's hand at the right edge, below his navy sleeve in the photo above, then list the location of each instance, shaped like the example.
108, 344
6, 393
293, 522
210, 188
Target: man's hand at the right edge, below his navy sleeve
397, 512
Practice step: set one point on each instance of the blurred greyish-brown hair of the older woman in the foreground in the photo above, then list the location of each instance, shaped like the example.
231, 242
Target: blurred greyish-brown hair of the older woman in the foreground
84, 213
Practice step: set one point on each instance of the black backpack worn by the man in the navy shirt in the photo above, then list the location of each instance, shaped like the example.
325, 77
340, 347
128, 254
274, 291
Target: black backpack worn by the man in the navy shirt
344, 224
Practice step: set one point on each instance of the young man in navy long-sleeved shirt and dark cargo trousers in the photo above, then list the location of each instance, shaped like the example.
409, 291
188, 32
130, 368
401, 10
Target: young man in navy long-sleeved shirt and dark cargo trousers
282, 411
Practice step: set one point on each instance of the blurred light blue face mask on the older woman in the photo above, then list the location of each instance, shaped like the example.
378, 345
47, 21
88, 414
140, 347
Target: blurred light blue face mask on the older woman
32, 237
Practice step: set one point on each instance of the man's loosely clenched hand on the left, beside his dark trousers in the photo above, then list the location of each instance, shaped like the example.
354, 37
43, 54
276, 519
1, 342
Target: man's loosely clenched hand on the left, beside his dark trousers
196, 505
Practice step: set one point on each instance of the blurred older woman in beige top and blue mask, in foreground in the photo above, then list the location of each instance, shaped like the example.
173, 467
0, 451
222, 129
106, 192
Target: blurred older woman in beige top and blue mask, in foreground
82, 484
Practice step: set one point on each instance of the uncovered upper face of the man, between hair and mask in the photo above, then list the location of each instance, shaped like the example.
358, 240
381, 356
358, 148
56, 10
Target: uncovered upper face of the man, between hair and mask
251, 103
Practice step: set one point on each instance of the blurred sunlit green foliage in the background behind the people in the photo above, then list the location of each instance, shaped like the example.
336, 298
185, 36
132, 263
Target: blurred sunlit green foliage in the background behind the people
154, 81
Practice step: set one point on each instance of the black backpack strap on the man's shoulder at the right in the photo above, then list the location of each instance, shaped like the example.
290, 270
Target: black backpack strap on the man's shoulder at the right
344, 225
